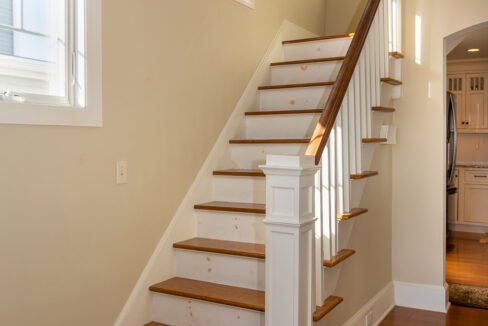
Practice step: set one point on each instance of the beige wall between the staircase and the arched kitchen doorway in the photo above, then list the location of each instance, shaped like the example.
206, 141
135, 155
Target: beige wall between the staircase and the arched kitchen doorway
418, 158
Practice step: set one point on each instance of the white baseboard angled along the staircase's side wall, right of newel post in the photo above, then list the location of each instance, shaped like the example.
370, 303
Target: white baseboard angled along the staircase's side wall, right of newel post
379, 306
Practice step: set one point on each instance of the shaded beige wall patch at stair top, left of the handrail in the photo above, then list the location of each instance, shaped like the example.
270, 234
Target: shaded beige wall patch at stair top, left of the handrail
343, 16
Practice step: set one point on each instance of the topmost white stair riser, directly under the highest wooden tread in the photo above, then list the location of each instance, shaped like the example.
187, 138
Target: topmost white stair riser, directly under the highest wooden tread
317, 49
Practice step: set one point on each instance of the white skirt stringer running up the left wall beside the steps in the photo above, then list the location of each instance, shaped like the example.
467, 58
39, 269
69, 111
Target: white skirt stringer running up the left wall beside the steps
137, 309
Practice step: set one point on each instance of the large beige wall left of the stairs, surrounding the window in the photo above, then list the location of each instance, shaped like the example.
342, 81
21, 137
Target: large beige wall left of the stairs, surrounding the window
72, 243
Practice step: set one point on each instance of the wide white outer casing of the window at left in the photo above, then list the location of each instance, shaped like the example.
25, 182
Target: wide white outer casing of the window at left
67, 115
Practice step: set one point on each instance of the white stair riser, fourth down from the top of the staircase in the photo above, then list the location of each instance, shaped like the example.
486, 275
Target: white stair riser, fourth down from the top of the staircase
281, 126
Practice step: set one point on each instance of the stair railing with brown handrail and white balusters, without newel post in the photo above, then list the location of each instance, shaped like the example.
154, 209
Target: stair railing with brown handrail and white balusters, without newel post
346, 121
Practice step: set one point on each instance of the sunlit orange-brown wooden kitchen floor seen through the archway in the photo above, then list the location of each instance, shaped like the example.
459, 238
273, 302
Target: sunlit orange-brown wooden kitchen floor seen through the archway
467, 263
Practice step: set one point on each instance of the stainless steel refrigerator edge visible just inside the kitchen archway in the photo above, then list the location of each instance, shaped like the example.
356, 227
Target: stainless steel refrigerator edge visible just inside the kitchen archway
452, 138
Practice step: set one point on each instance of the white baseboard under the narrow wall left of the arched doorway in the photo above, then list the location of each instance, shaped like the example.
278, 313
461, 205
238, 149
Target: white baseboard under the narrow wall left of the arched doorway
422, 296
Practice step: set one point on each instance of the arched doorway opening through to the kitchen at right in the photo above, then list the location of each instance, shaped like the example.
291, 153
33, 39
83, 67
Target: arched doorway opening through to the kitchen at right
467, 166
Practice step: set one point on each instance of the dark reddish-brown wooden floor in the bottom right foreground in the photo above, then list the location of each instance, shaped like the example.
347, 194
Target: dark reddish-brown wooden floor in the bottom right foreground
457, 316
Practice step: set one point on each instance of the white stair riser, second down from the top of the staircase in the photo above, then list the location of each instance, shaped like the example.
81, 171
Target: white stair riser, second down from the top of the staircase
305, 73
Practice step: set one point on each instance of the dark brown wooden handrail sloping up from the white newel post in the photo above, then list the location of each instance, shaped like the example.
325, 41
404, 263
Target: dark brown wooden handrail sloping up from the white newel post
339, 90
